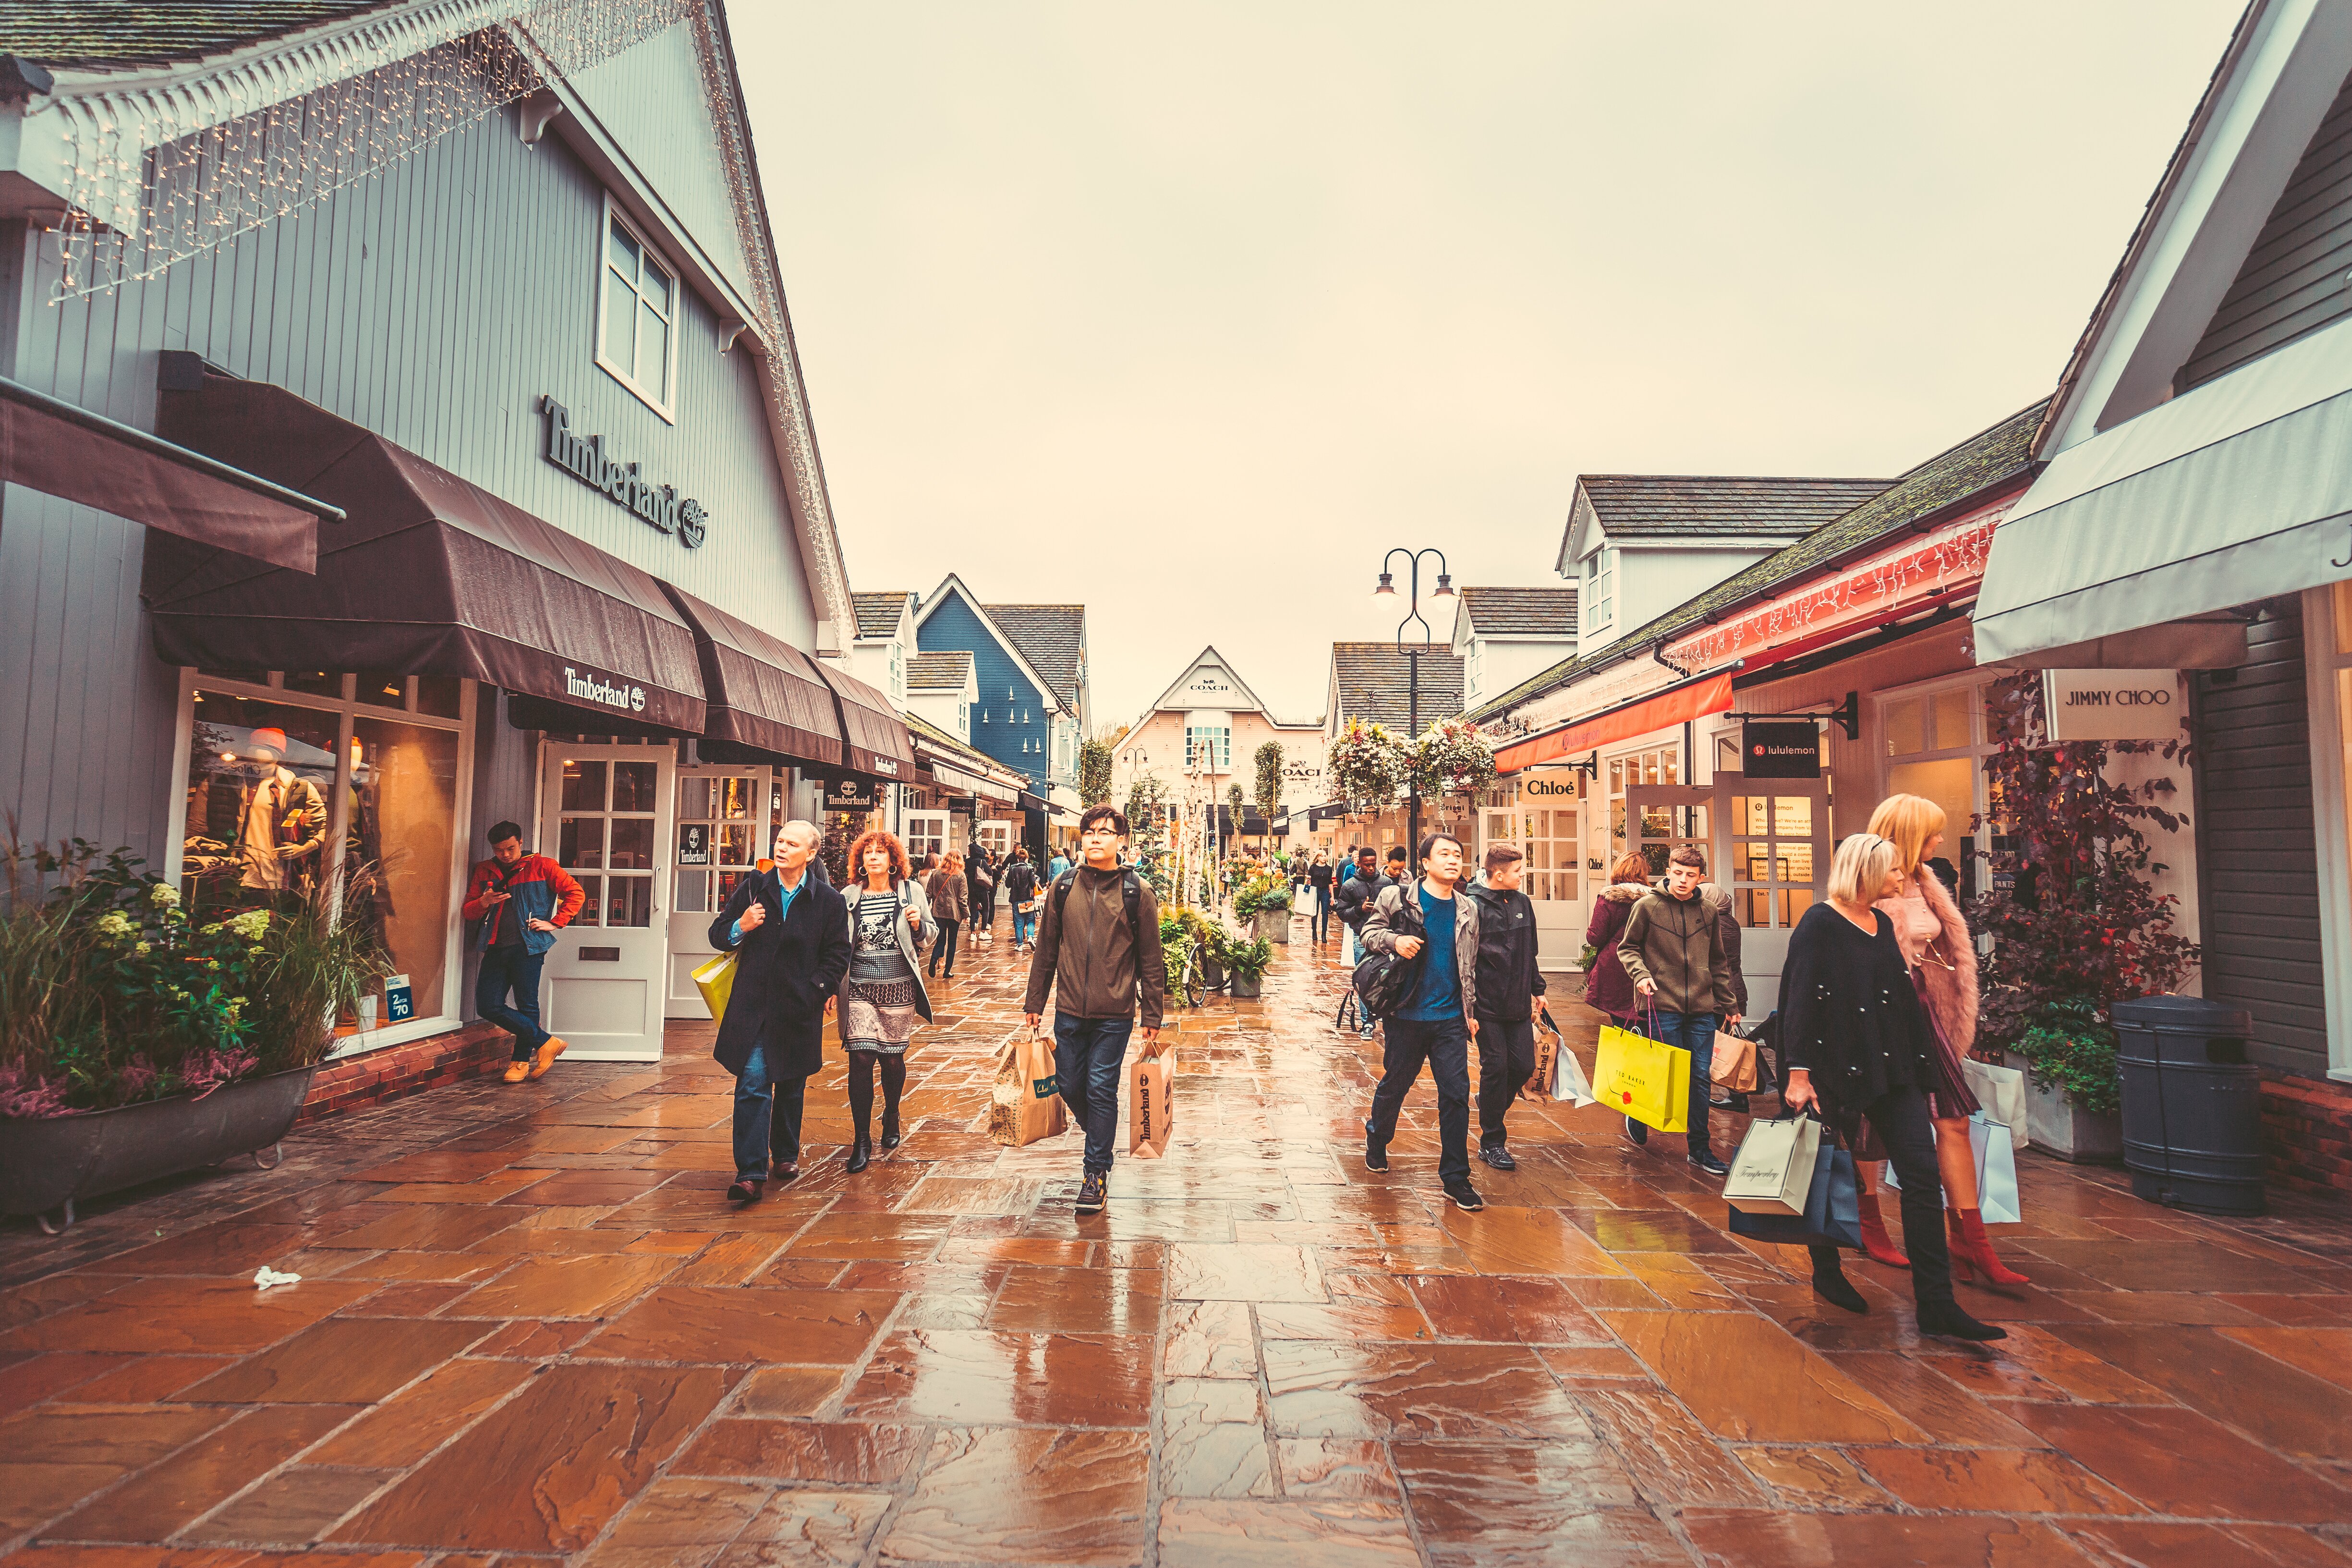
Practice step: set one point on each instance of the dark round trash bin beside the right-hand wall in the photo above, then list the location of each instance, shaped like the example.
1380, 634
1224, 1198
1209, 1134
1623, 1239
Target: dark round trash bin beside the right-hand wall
2193, 1104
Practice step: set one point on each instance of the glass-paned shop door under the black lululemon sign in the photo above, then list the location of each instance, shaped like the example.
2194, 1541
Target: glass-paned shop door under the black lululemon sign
1777, 836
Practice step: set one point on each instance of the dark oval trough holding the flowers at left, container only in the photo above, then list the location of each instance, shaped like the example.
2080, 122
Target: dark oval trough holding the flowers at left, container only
60, 1160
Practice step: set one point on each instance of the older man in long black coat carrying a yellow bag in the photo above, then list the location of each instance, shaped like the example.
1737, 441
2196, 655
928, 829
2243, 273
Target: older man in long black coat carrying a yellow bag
791, 934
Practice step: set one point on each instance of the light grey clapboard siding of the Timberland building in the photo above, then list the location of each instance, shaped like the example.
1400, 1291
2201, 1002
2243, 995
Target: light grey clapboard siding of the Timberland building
432, 304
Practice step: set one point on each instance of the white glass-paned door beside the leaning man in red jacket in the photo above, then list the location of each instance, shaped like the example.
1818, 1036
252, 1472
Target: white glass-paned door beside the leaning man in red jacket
606, 815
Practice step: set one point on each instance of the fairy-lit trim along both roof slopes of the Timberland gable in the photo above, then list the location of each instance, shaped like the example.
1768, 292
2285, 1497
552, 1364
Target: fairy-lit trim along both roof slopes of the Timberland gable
159, 177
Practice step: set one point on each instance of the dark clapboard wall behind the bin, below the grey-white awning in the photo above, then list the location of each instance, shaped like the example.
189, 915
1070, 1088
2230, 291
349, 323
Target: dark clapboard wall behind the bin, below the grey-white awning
2257, 847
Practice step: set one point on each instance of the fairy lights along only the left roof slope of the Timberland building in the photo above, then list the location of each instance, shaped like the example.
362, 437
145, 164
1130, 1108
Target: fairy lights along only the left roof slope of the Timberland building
161, 177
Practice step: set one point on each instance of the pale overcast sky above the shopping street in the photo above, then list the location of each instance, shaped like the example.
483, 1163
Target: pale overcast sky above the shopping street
1189, 314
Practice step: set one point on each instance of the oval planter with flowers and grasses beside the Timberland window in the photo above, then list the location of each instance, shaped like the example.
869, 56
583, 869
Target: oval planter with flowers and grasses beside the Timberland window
138, 1043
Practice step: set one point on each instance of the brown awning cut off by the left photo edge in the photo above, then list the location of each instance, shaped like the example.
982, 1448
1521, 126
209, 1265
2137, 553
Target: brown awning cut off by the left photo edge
86, 457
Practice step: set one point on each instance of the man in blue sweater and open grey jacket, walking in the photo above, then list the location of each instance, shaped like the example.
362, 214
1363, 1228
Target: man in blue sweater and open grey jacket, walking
1438, 1017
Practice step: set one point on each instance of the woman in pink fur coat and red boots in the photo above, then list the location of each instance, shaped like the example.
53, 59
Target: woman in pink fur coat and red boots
1942, 958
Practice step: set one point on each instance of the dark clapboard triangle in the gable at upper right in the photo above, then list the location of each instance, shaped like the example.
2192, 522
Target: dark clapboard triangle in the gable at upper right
2294, 276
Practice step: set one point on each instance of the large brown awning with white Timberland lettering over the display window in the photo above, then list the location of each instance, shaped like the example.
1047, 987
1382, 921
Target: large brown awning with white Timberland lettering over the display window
429, 577
